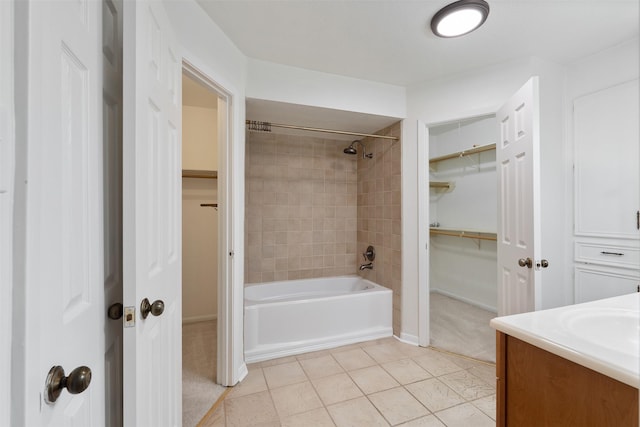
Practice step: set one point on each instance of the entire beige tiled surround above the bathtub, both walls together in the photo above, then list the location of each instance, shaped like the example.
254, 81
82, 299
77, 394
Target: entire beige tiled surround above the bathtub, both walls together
311, 210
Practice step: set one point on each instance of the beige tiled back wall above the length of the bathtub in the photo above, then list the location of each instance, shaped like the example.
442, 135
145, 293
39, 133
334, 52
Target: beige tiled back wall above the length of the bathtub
300, 208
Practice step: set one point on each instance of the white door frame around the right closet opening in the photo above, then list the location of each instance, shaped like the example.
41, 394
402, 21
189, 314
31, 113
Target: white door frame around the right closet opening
424, 248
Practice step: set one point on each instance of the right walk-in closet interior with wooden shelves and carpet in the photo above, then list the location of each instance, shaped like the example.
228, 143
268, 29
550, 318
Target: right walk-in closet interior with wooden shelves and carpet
463, 226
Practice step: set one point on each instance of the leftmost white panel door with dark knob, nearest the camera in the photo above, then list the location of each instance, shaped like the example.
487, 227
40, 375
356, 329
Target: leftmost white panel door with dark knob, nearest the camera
64, 315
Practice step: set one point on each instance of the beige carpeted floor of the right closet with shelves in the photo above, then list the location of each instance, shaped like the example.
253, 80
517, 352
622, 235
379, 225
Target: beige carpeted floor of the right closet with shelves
462, 328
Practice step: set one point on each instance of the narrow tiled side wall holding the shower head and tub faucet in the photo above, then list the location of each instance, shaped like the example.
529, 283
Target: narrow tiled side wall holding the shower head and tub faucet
379, 213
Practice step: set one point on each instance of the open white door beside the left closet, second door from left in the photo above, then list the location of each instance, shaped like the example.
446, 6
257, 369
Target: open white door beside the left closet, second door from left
152, 99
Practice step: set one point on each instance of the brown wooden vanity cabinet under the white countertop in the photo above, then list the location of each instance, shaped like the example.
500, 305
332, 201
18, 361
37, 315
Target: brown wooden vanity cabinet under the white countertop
537, 388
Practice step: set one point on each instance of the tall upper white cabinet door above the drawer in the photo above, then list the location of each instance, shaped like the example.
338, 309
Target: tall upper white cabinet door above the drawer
606, 162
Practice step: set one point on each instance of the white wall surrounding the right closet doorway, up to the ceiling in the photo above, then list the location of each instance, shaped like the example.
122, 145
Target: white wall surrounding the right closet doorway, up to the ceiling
474, 93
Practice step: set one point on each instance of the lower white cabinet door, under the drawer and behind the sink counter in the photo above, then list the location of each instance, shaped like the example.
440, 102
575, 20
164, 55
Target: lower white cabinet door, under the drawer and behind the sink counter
593, 283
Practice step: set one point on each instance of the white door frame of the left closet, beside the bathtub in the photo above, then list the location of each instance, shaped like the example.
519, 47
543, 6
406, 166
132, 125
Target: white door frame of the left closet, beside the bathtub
226, 307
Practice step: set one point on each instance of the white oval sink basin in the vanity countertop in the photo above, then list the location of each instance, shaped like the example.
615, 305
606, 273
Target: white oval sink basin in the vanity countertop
614, 329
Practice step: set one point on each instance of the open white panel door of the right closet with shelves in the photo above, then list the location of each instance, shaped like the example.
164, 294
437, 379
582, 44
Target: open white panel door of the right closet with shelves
517, 160
